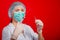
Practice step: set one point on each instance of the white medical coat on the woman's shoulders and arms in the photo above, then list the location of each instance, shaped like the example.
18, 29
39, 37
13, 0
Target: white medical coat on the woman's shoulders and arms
29, 34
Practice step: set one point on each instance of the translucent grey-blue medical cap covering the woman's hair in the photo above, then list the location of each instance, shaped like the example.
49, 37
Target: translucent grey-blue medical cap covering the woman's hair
13, 6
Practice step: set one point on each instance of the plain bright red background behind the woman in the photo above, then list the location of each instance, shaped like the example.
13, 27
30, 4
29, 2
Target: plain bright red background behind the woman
46, 10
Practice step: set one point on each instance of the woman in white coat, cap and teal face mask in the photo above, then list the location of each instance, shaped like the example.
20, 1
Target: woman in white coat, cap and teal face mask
16, 30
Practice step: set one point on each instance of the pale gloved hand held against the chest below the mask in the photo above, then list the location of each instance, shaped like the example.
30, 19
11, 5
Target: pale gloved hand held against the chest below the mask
17, 31
